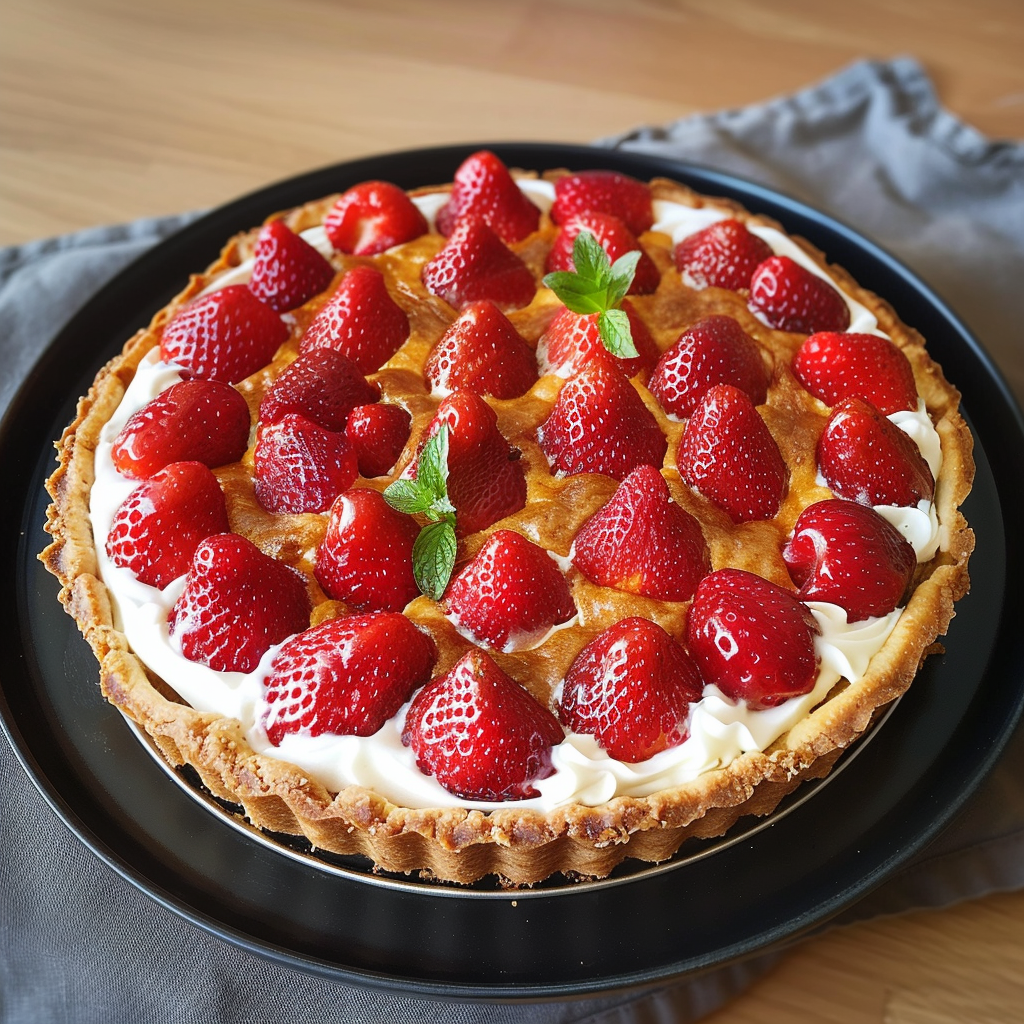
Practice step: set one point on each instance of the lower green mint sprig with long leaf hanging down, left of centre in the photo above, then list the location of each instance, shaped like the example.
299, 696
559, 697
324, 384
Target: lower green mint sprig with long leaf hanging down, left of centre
435, 550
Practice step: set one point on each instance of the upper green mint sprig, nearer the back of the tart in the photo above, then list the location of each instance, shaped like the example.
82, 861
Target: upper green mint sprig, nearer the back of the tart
599, 286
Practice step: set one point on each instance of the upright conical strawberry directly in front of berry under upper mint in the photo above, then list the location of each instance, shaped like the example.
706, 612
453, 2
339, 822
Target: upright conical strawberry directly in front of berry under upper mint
600, 424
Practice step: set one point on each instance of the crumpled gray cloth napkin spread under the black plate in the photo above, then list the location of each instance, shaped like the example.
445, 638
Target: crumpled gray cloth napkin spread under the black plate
872, 147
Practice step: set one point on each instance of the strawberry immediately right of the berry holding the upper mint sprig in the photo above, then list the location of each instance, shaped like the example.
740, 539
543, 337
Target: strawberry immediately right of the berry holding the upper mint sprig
715, 351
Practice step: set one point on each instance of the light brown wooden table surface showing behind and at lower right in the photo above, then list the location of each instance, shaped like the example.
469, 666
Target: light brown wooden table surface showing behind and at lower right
112, 110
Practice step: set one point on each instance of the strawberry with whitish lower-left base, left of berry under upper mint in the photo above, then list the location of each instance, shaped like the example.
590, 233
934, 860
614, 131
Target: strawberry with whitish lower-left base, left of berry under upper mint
484, 353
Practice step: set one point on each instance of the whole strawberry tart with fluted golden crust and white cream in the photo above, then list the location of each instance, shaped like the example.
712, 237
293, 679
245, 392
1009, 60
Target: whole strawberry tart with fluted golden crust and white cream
513, 527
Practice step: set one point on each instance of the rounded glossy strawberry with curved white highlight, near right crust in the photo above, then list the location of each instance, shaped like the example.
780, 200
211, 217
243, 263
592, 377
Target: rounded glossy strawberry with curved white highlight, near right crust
847, 554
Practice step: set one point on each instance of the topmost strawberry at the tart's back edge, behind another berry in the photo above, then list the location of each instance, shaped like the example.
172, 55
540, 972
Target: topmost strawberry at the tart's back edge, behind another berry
484, 188
